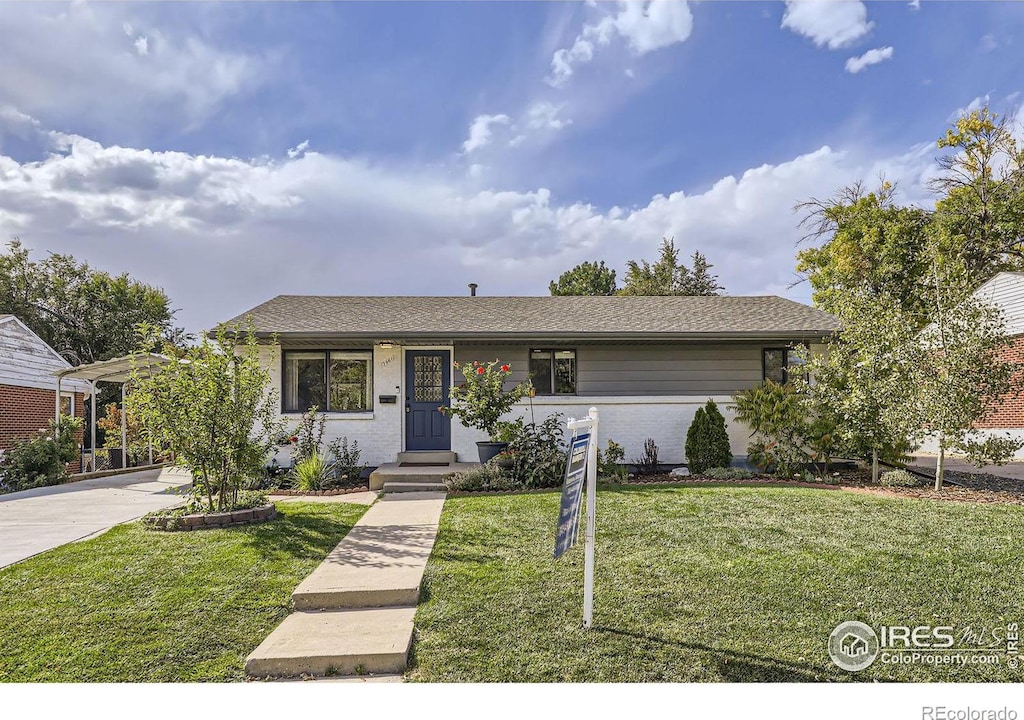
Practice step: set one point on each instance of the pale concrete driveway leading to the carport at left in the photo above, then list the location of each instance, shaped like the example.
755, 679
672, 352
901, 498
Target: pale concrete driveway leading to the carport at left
36, 521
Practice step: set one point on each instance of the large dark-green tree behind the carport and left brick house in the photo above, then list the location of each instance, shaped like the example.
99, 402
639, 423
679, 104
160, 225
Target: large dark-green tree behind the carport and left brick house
84, 314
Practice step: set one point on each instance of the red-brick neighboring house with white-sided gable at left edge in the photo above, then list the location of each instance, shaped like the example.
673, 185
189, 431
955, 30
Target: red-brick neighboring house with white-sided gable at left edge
28, 389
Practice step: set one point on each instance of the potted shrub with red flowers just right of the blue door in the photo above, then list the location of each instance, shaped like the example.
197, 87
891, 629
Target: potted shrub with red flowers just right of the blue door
482, 401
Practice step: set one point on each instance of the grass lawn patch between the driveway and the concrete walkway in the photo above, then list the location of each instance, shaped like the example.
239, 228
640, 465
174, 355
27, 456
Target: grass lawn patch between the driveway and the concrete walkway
137, 606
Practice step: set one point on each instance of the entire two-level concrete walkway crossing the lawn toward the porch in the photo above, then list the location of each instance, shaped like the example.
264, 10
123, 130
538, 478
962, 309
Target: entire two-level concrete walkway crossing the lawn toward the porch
355, 613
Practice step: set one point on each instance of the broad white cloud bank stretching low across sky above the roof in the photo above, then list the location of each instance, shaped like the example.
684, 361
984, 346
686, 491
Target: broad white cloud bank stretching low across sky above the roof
222, 235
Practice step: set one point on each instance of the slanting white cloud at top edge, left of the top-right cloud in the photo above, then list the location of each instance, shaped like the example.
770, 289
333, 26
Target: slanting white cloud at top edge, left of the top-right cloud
647, 26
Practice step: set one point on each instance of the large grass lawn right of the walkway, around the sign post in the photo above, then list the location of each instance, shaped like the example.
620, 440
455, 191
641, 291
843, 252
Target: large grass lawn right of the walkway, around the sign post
711, 584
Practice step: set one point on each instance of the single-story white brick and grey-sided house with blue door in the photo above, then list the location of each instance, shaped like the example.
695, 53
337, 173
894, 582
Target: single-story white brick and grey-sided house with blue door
382, 366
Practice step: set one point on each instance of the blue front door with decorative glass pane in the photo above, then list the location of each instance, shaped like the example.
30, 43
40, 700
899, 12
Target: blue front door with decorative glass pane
429, 375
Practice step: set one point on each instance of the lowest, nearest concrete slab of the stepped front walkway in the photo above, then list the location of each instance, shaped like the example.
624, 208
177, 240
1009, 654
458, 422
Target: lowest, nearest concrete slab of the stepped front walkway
338, 643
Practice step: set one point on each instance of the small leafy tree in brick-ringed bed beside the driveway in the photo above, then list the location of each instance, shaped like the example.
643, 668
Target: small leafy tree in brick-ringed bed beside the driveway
212, 408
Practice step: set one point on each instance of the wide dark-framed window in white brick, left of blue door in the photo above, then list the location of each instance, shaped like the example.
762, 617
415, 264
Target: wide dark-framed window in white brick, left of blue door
334, 382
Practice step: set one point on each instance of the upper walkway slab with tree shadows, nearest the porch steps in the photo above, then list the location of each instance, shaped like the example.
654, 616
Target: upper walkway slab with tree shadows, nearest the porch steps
381, 561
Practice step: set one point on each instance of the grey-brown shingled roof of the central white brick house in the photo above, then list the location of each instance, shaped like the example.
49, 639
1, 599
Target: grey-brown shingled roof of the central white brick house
620, 317
